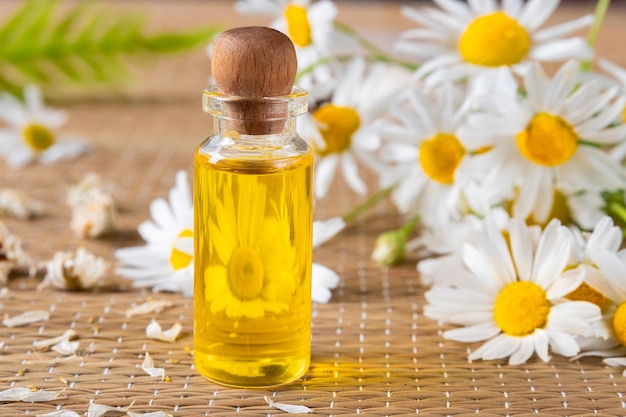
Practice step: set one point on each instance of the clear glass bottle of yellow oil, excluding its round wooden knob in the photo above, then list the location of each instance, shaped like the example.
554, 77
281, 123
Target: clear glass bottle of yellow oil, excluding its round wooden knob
253, 240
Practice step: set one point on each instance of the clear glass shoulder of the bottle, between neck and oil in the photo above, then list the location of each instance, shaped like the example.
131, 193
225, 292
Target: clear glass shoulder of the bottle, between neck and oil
254, 154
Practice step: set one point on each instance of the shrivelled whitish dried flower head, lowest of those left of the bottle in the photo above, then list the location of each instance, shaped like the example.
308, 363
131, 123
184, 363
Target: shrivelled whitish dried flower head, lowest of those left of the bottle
74, 270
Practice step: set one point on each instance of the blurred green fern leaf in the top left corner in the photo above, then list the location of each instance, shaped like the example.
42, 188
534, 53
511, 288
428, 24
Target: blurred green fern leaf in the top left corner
85, 45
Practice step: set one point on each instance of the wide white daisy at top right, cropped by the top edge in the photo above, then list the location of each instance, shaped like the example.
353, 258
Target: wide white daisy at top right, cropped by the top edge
461, 40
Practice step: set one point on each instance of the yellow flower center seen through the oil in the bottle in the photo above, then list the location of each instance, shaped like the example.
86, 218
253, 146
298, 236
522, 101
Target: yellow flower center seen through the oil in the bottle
245, 273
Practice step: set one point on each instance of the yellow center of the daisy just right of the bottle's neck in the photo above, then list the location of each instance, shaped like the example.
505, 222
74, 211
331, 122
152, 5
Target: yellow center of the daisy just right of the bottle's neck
338, 124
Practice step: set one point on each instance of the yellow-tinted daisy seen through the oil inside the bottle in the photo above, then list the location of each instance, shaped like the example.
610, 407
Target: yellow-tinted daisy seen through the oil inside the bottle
255, 265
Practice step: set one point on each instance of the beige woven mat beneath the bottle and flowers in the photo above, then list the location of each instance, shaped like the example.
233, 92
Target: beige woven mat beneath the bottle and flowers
373, 351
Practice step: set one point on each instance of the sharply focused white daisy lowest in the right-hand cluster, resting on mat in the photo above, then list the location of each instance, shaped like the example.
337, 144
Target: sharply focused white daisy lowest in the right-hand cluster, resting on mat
511, 295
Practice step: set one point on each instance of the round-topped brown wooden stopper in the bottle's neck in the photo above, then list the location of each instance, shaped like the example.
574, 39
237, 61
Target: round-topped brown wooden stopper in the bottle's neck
254, 63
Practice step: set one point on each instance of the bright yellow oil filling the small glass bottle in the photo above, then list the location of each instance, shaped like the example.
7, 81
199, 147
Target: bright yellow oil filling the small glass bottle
252, 304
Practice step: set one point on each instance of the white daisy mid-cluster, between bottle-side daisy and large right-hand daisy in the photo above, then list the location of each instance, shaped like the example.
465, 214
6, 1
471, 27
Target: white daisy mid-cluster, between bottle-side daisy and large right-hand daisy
431, 160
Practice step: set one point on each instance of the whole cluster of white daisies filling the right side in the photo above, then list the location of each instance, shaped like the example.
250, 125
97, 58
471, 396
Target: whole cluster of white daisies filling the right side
510, 163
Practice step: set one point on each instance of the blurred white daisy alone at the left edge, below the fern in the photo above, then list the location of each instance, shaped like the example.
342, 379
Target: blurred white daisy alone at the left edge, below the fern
32, 132
